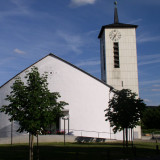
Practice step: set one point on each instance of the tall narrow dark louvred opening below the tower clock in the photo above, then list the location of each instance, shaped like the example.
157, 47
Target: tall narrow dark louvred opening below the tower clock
116, 54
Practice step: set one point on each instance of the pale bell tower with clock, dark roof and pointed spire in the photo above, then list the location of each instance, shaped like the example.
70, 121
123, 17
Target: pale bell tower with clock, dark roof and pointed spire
119, 54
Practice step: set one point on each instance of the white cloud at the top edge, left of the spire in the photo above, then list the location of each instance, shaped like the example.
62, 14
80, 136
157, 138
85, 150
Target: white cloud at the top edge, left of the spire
77, 3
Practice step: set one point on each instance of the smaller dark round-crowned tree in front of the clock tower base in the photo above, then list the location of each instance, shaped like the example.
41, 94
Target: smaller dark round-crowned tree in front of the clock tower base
124, 111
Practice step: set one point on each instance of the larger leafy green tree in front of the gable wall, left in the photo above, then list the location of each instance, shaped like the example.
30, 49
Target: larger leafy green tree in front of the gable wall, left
32, 104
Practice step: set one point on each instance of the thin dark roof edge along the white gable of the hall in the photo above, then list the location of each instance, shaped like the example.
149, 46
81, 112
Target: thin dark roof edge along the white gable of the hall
52, 55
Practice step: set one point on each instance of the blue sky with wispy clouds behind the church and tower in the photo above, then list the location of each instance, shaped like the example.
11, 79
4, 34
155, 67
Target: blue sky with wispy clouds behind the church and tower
31, 29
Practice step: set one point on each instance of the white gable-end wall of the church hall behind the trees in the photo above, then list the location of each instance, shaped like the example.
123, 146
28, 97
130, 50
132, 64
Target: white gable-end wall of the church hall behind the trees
87, 98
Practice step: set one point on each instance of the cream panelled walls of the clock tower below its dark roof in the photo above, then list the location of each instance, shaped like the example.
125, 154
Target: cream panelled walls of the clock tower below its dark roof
126, 76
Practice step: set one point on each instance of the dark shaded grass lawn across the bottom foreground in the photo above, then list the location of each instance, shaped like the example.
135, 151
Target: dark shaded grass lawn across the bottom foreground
84, 151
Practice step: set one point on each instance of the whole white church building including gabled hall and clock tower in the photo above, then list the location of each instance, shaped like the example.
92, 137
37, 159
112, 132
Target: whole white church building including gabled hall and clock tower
86, 95
